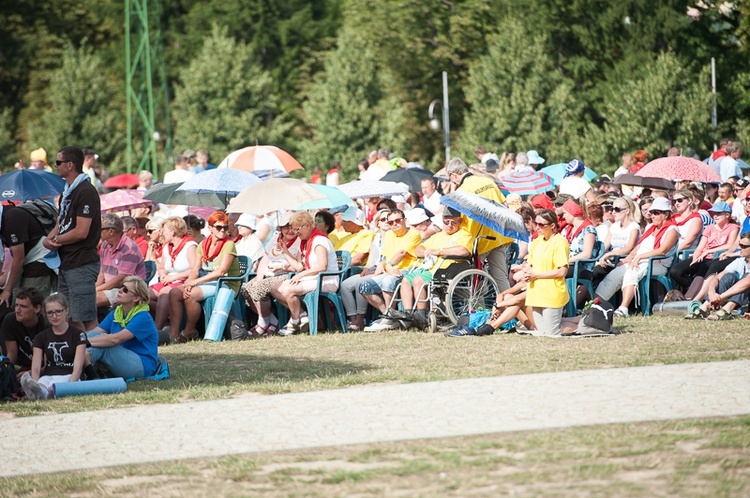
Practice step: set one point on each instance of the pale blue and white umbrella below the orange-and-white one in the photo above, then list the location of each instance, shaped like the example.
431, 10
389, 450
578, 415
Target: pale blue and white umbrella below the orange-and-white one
213, 187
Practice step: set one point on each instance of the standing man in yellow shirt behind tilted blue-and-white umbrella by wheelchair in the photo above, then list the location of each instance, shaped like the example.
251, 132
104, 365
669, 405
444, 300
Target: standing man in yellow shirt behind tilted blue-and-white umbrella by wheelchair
494, 251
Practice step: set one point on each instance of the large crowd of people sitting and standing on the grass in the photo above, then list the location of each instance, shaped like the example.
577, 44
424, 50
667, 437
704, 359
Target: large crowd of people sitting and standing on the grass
93, 295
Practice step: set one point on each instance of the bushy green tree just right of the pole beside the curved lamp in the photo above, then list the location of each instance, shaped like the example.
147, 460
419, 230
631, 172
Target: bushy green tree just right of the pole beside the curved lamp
518, 100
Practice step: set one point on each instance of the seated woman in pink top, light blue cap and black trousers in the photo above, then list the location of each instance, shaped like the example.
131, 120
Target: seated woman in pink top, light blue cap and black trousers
689, 273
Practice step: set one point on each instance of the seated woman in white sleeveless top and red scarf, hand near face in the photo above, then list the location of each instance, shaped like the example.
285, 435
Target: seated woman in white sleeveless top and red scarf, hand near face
317, 256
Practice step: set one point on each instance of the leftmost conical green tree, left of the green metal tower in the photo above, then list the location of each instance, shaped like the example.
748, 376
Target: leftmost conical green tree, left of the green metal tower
84, 108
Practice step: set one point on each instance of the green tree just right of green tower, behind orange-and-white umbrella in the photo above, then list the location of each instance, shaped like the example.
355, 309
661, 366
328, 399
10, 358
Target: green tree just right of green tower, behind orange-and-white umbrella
224, 100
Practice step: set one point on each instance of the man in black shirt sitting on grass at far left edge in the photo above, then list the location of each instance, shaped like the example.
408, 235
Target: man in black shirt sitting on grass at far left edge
19, 329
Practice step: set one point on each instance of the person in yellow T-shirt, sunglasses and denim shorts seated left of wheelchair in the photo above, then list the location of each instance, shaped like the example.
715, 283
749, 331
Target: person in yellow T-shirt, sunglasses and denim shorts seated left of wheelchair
396, 255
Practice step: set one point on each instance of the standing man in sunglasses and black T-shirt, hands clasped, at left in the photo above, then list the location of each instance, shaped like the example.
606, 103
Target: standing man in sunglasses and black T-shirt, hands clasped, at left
76, 237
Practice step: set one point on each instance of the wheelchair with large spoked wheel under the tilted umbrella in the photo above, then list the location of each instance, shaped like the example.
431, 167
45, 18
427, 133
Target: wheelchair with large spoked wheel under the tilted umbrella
455, 291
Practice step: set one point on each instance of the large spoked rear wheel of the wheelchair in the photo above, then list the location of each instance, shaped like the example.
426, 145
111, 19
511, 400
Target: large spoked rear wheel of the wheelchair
468, 291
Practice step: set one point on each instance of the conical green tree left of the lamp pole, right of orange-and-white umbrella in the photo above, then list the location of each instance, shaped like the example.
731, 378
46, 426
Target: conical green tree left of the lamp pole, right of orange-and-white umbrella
349, 109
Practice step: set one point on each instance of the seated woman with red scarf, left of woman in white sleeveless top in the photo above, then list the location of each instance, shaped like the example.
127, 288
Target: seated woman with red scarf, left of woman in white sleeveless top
272, 271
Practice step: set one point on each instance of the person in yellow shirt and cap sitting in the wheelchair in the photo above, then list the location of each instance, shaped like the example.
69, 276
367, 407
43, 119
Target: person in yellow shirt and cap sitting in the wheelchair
438, 253
